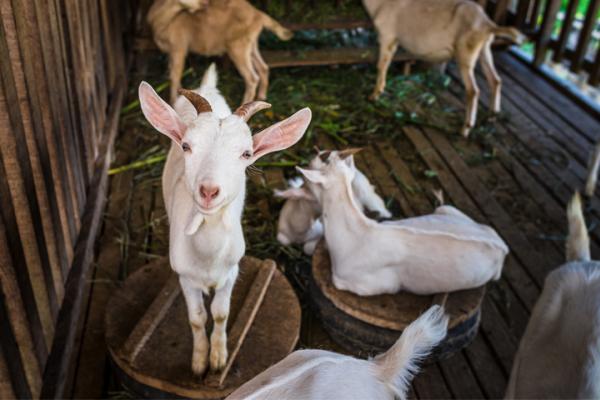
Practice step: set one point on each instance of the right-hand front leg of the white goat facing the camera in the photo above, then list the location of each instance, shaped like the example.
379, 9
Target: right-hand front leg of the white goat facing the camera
220, 312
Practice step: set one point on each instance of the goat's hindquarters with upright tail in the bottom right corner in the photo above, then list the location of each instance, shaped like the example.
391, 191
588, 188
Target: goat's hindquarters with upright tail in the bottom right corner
559, 354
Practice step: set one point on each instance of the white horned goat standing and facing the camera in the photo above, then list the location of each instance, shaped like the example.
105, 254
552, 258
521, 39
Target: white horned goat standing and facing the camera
204, 184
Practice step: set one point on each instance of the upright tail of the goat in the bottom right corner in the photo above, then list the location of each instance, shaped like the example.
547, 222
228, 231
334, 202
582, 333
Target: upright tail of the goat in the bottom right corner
578, 242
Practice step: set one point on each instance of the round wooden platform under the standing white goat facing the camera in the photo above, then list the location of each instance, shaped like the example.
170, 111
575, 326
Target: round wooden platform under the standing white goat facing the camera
150, 341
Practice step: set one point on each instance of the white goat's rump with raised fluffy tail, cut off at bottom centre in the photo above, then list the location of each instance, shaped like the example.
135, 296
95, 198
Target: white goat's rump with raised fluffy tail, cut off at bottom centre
320, 374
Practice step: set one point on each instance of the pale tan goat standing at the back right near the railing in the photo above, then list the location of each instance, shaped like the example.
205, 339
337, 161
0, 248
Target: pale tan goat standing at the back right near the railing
439, 31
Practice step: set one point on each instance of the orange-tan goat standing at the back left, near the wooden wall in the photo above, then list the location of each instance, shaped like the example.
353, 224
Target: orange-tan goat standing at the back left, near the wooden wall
212, 28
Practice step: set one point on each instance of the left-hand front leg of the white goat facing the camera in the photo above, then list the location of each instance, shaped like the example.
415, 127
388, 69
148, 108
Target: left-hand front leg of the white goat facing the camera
197, 317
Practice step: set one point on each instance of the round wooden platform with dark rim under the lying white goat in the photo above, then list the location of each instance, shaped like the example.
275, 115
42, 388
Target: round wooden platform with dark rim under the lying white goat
370, 325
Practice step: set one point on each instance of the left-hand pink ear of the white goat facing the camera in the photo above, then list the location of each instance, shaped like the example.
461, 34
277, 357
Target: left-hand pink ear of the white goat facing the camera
160, 115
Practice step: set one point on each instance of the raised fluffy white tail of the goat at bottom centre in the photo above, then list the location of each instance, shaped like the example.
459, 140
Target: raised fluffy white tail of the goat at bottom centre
397, 366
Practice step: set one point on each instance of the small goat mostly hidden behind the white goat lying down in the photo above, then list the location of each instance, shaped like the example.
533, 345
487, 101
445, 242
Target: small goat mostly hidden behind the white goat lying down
299, 219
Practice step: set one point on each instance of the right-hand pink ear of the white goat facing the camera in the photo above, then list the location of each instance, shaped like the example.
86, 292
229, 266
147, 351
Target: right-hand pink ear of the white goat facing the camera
281, 135
